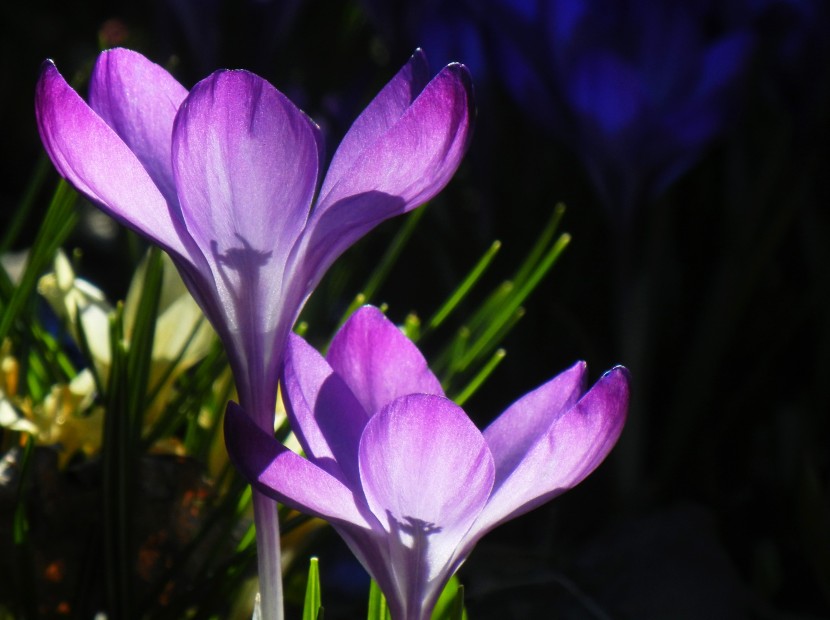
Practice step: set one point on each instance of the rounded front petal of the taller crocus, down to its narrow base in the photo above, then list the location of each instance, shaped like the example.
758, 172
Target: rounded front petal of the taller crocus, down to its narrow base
246, 161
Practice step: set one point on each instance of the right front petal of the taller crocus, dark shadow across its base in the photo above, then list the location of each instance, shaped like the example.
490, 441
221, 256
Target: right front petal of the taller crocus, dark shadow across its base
405, 166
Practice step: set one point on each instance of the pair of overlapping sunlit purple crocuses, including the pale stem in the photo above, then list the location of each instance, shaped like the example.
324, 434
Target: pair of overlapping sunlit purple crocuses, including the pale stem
226, 178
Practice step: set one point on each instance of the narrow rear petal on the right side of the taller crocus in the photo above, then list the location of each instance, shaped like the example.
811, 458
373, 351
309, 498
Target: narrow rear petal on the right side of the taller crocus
383, 112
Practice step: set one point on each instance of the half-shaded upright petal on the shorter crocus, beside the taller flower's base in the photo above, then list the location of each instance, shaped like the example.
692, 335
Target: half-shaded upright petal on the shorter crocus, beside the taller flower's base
326, 417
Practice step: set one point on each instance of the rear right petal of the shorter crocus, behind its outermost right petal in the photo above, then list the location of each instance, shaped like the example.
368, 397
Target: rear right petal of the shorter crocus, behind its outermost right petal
511, 435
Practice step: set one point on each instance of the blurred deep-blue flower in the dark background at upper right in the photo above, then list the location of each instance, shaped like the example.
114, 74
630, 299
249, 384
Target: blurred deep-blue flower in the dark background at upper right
637, 89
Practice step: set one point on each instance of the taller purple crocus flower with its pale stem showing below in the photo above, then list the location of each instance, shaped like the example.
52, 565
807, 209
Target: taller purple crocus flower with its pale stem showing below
224, 179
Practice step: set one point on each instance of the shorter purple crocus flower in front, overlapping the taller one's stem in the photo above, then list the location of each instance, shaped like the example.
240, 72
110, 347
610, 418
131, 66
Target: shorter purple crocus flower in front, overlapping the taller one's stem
401, 472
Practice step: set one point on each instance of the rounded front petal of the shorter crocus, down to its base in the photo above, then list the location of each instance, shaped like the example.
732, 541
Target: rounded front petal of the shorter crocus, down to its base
426, 474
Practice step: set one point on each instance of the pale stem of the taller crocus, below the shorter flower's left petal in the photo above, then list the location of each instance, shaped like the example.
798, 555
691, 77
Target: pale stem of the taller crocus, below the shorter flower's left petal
268, 556
